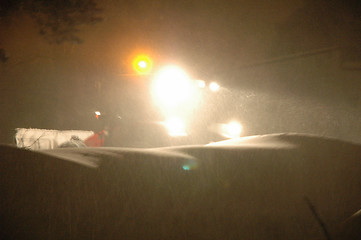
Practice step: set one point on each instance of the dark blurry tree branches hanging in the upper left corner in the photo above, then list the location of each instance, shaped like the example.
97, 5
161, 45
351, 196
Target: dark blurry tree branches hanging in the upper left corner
58, 20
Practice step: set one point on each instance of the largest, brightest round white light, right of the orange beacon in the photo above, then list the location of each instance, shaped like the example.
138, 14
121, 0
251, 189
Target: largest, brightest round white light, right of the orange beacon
172, 86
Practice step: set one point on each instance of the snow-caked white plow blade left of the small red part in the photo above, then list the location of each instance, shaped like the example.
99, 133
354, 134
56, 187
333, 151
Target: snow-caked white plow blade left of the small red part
35, 139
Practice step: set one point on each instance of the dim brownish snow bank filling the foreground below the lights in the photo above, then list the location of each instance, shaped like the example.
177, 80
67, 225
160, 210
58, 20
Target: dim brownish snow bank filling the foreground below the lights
280, 186
